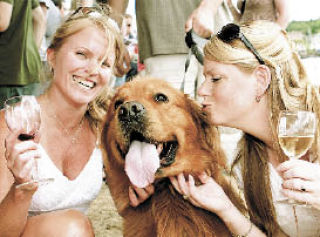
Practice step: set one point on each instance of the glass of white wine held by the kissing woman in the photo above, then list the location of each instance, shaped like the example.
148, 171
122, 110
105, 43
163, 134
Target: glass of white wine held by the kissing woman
296, 130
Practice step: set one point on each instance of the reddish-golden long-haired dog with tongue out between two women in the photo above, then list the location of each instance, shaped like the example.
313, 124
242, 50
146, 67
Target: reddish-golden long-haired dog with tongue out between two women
148, 114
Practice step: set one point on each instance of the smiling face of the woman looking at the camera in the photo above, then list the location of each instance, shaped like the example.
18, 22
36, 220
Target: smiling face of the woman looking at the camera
81, 66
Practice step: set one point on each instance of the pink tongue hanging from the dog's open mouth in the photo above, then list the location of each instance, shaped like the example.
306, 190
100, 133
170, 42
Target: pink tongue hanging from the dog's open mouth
141, 163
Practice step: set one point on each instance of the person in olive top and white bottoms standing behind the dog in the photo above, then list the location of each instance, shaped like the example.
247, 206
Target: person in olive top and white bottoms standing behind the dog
161, 35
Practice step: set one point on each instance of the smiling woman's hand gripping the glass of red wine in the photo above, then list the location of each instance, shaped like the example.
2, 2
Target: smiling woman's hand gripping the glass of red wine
20, 157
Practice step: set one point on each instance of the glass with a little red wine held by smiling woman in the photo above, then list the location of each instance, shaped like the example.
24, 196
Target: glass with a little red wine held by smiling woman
23, 113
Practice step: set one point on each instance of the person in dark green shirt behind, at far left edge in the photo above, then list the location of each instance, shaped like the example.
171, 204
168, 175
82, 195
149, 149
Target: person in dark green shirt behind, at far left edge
22, 26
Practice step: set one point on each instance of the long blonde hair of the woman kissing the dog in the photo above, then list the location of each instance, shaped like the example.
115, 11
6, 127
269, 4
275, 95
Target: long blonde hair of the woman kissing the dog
289, 89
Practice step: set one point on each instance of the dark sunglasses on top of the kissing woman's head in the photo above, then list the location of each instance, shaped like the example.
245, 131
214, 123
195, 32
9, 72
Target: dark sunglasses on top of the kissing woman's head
231, 32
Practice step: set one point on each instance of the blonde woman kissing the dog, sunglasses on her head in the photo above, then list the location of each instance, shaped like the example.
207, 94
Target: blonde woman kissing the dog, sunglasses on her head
252, 73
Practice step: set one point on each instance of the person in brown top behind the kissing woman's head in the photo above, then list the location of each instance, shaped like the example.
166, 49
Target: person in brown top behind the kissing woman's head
272, 10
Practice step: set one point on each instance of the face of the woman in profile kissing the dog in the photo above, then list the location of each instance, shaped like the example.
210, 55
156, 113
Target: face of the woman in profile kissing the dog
228, 93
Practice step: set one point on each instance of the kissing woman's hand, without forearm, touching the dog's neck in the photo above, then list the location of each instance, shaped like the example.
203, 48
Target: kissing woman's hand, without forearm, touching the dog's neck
209, 195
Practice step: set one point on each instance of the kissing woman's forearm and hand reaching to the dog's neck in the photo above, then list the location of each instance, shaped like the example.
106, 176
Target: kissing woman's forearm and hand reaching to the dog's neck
210, 196
